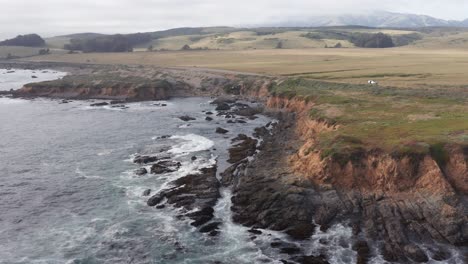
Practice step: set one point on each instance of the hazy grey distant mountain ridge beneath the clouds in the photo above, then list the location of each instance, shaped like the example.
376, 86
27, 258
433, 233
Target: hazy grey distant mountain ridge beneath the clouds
380, 19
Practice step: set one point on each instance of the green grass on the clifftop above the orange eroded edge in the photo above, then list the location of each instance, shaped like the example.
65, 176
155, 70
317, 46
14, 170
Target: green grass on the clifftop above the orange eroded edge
392, 119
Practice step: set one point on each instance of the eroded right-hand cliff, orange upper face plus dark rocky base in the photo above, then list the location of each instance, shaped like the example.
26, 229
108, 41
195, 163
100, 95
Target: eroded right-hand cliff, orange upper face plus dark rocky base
407, 207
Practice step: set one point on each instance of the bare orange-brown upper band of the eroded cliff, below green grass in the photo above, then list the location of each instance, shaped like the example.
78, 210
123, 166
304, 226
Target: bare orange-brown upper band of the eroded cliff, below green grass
373, 171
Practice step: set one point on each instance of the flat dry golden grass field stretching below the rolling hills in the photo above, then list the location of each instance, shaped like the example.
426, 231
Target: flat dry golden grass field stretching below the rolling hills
400, 67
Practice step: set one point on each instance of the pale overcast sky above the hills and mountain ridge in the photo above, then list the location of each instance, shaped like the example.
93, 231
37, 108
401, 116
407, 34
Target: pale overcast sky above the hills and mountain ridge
54, 17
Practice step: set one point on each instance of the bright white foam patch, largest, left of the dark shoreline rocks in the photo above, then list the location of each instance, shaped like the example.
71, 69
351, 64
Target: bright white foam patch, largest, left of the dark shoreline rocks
191, 143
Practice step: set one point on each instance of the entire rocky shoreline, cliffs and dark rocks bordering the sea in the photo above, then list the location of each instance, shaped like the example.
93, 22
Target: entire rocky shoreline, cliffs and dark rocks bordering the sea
406, 209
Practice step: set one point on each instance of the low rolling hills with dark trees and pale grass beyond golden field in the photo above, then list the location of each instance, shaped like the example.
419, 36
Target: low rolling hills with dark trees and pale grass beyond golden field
225, 38
